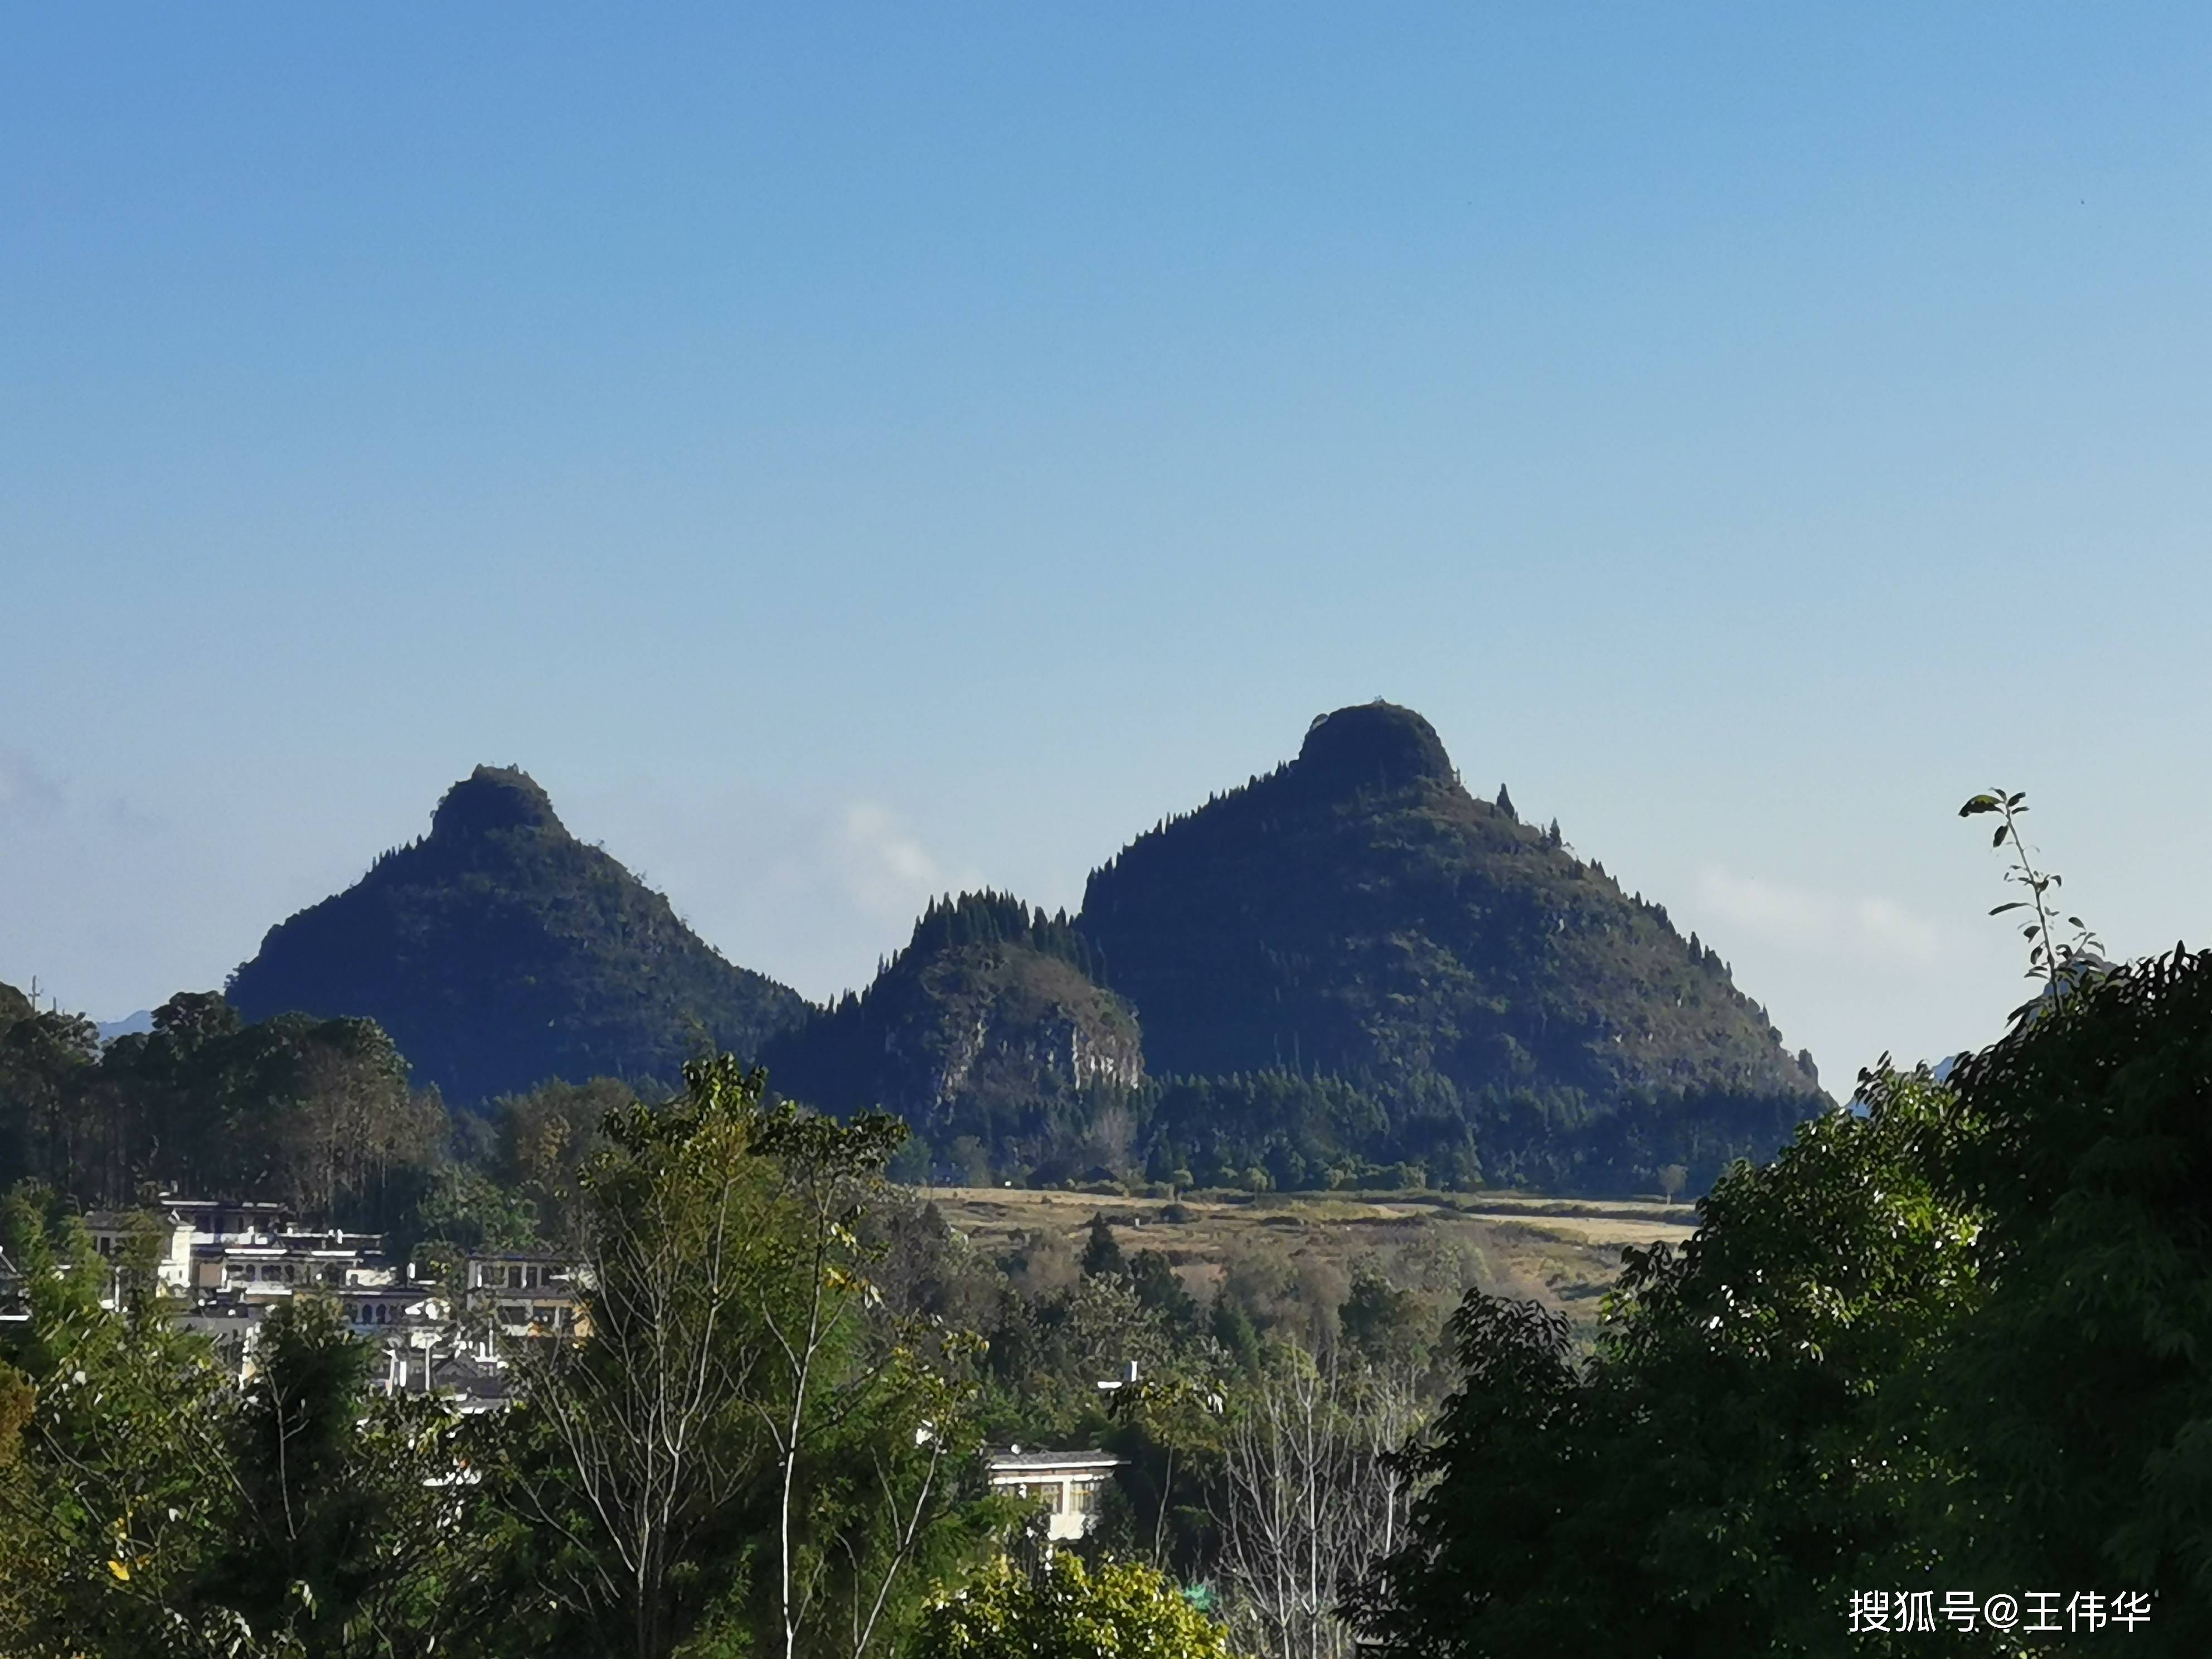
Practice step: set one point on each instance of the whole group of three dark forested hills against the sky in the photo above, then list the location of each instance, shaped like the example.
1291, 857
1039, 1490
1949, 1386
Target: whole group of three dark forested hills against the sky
1377, 977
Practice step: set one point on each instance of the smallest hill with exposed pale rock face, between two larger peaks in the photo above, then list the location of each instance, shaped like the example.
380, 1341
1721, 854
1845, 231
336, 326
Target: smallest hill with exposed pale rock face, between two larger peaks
988, 1025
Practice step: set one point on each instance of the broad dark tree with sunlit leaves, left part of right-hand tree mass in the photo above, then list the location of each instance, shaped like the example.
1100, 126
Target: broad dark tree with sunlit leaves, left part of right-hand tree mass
1753, 1439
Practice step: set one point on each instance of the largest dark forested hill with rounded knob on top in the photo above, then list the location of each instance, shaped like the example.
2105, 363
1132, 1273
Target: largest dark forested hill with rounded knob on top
1359, 915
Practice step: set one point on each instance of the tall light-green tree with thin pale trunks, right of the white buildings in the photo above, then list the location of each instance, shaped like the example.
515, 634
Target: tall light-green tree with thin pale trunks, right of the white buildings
742, 1450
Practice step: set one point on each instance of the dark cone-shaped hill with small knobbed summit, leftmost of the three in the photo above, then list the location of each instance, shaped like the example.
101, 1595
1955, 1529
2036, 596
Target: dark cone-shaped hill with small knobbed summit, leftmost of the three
501, 952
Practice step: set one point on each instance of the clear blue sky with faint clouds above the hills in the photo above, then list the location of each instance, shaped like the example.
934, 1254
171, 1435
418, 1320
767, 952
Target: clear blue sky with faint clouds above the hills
857, 452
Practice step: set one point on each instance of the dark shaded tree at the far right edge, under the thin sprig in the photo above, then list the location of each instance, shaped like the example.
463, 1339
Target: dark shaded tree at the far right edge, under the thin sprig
2089, 1357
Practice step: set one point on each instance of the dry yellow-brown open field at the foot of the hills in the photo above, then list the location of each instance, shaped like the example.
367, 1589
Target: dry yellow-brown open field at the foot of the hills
1563, 1253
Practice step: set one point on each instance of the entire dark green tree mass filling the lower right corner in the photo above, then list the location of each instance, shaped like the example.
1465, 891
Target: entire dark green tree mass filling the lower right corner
1957, 1344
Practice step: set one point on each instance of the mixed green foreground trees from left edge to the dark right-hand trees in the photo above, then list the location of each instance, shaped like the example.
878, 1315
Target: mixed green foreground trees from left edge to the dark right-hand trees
766, 1446
